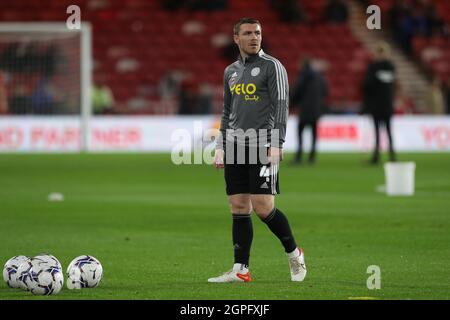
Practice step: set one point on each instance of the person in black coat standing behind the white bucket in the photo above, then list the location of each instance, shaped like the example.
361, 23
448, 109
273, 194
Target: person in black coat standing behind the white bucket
379, 93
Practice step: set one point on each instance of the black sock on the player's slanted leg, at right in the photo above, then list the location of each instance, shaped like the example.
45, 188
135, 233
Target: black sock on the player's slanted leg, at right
279, 225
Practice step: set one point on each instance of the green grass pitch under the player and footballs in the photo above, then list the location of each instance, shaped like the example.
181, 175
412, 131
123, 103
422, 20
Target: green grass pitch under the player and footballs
161, 230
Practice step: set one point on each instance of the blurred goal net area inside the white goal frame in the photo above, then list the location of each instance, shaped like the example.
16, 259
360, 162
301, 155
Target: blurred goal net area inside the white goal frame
40, 71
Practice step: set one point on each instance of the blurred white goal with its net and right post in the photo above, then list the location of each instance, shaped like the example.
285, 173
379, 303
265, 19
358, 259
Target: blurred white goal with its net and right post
45, 69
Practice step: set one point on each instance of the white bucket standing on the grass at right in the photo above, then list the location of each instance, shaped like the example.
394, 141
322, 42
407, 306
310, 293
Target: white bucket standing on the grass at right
399, 178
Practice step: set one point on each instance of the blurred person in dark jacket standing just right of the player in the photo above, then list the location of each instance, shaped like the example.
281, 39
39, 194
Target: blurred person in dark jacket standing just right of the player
308, 96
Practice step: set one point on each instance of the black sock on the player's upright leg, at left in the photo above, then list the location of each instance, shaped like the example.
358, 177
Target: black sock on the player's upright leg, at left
242, 237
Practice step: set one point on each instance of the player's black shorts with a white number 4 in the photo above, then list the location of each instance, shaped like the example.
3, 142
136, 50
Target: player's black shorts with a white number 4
253, 174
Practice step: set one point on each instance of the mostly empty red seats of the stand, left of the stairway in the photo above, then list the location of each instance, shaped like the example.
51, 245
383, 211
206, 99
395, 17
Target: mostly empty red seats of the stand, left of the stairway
136, 42
